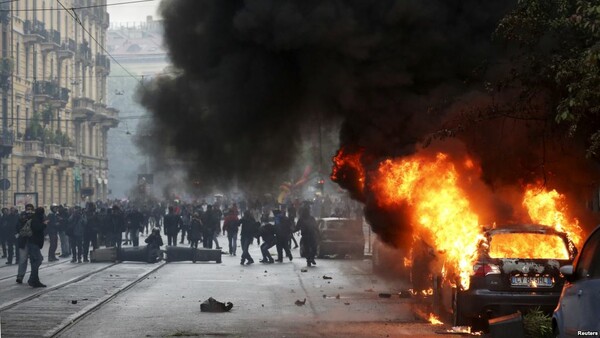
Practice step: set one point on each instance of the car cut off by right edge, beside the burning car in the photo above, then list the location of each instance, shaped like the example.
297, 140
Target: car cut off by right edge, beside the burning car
578, 310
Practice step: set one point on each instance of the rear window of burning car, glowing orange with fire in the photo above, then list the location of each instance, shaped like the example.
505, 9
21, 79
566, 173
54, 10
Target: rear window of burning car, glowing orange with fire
528, 246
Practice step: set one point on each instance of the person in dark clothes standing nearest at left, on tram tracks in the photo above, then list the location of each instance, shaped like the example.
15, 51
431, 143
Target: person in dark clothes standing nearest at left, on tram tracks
34, 246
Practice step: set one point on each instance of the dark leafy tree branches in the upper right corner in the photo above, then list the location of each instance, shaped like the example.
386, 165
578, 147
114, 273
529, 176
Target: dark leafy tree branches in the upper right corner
555, 56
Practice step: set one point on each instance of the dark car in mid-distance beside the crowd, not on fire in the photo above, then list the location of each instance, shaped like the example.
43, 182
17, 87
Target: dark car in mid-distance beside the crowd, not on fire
340, 236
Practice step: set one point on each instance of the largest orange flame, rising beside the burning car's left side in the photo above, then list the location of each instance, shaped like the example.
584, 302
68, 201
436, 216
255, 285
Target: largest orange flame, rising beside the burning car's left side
440, 209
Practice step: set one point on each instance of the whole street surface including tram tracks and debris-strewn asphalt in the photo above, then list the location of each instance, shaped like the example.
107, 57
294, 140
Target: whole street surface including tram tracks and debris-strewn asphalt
157, 300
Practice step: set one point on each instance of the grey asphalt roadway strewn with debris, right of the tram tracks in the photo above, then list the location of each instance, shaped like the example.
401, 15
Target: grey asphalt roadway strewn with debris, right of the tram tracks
266, 303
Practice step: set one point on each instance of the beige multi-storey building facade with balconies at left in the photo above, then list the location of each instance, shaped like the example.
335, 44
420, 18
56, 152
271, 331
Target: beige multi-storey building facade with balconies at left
53, 85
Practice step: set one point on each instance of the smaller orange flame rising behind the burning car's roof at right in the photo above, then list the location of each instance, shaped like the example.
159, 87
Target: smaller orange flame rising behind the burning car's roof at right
550, 208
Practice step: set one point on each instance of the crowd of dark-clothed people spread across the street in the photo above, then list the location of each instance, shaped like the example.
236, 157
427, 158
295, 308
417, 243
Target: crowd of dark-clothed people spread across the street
73, 232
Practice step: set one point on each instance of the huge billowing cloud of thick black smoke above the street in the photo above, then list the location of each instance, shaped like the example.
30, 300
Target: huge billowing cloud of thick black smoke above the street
252, 76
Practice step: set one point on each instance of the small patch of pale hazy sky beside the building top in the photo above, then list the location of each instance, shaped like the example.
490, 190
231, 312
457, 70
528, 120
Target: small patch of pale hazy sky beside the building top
132, 12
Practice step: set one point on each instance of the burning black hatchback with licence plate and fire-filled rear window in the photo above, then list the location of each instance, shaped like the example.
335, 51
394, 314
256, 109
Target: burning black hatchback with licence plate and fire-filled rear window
517, 269
